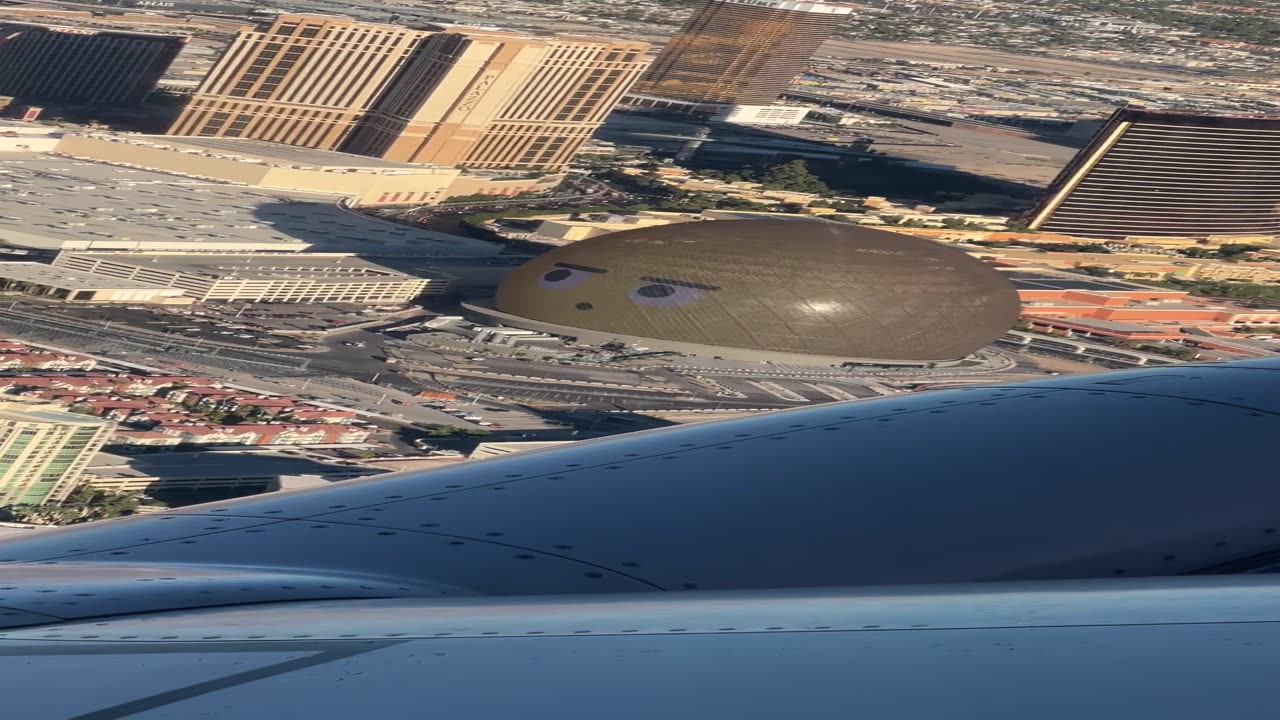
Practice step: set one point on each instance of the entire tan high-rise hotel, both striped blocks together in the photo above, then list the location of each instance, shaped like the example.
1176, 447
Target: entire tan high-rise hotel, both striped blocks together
476, 99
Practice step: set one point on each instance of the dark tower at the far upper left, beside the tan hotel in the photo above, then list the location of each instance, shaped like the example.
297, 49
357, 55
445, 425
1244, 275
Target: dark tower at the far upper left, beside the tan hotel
83, 67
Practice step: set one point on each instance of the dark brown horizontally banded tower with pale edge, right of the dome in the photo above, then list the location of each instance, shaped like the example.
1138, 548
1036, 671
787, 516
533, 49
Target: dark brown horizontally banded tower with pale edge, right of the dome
1151, 174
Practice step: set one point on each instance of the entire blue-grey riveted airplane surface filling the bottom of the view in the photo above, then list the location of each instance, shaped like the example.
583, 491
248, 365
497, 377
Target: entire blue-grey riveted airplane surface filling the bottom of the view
1035, 535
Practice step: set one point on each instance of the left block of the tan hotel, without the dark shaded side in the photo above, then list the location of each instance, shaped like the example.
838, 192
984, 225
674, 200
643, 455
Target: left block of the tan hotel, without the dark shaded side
298, 80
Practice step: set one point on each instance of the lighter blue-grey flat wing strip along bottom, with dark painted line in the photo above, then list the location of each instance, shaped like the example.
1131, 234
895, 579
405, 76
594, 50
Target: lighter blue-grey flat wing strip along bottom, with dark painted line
1114, 649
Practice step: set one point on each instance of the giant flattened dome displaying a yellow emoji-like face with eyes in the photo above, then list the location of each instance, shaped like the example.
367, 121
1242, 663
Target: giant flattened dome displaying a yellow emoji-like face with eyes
790, 288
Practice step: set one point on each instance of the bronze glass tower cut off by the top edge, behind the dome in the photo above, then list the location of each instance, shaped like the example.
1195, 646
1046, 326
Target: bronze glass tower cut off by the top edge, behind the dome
740, 52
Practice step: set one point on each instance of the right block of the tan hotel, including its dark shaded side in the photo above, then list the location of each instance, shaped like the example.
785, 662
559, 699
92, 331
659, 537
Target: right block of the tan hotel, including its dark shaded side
496, 101
